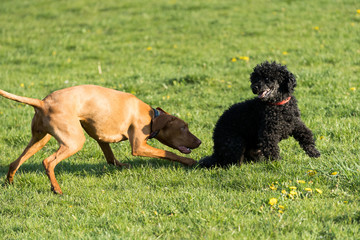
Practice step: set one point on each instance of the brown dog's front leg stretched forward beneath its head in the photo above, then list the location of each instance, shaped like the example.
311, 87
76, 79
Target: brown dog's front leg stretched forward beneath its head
146, 150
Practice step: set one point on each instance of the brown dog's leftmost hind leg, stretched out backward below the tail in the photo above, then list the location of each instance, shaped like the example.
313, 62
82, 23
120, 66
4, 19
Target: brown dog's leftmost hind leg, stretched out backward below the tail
36, 143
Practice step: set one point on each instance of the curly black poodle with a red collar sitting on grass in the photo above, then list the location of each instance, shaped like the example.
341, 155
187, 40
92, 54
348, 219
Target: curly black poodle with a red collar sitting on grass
252, 129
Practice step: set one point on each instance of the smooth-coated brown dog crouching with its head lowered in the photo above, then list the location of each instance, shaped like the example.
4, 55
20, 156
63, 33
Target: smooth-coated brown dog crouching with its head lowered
107, 116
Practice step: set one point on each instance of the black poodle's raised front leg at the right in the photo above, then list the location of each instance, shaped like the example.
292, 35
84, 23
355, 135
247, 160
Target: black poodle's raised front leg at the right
306, 139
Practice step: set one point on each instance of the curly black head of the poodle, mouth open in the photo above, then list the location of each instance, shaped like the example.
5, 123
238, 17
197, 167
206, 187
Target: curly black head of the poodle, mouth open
272, 82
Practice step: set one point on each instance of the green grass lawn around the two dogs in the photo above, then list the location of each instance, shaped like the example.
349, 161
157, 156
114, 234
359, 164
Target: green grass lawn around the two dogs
178, 55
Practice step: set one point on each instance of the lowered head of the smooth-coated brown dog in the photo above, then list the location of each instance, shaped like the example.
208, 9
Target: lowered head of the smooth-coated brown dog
174, 132
